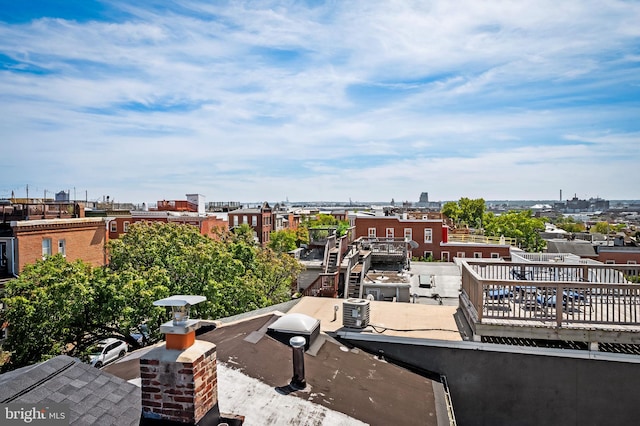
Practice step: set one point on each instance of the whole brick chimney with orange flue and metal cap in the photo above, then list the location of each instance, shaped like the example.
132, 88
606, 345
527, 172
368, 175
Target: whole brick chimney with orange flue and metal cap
179, 380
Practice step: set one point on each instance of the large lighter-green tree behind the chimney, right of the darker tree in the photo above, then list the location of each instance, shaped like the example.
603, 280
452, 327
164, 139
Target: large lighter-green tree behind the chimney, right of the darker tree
230, 272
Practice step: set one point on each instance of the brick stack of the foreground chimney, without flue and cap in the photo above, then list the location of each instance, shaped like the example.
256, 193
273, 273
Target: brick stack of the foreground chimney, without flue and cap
179, 391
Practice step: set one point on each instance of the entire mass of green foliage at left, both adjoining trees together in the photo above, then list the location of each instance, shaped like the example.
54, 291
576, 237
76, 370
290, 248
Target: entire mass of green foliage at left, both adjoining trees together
58, 307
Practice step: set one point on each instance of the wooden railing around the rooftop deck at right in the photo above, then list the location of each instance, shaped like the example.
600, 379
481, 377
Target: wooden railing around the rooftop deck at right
559, 295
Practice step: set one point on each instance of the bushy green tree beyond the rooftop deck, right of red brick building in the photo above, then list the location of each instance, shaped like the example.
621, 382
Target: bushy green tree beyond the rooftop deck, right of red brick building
520, 225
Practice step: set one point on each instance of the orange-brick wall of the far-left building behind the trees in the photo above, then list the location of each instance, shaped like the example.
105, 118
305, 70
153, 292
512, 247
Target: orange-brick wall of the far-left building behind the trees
86, 243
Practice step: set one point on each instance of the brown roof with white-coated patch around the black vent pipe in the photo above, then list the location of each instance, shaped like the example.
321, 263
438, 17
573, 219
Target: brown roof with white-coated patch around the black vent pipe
355, 387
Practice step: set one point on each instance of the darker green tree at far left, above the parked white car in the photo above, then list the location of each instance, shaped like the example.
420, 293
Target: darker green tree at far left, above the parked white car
57, 307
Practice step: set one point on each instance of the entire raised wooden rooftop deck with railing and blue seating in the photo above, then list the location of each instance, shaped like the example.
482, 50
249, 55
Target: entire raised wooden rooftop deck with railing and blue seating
555, 301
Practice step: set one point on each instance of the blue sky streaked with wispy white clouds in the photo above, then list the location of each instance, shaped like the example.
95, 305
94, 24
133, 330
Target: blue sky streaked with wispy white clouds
320, 100
